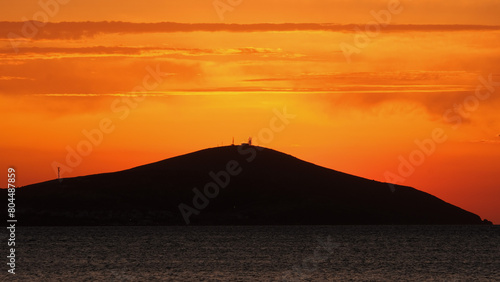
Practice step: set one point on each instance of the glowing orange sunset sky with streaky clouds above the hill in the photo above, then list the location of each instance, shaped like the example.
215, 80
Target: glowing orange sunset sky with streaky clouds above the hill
209, 76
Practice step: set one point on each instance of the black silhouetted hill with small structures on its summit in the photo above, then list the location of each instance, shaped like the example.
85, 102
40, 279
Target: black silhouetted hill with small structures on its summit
231, 185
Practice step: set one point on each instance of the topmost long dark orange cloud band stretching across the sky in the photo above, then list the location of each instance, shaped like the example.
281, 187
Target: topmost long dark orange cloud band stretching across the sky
76, 30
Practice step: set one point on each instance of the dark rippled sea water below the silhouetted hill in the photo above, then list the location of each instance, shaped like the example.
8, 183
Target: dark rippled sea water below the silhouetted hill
255, 253
